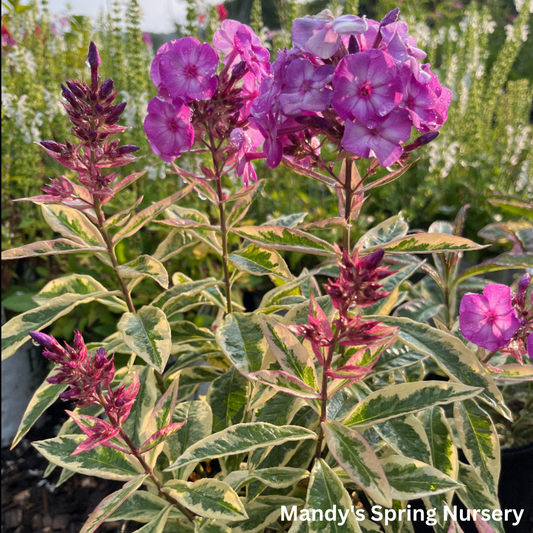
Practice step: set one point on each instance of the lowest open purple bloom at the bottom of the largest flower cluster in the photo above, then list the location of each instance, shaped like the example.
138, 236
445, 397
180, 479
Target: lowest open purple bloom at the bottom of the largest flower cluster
383, 140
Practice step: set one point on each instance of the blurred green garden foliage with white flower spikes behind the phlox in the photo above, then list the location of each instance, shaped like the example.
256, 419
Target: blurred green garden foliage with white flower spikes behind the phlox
482, 51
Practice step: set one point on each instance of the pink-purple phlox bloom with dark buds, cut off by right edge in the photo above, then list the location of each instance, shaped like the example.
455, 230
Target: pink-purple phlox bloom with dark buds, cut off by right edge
499, 319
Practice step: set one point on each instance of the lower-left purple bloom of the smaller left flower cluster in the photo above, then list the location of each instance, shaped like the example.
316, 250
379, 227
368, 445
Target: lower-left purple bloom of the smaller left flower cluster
168, 128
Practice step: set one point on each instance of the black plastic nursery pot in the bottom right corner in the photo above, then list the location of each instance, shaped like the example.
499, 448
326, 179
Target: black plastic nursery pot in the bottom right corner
515, 491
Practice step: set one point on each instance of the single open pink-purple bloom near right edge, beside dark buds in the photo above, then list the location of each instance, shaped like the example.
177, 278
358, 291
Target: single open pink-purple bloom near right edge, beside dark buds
489, 319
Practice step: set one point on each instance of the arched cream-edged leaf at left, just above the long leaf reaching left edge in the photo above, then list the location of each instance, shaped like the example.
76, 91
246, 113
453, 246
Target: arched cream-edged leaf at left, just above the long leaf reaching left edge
77, 284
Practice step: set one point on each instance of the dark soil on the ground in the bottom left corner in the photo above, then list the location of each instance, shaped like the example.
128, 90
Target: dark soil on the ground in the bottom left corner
31, 504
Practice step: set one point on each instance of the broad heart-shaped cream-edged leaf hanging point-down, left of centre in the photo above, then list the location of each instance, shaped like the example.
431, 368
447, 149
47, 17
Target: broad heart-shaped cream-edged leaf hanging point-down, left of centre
147, 333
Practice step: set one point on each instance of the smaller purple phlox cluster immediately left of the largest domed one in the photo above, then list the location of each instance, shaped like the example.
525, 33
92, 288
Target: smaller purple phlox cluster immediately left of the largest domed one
195, 104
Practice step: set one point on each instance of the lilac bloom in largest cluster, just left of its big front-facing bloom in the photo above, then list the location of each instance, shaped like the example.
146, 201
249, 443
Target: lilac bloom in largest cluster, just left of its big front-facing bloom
305, 88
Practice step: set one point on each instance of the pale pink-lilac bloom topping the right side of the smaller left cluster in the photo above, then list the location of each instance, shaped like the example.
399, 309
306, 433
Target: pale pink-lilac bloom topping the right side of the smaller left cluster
239, 43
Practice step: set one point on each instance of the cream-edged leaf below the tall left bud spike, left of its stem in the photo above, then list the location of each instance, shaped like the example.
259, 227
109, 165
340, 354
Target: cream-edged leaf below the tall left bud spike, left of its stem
73, 224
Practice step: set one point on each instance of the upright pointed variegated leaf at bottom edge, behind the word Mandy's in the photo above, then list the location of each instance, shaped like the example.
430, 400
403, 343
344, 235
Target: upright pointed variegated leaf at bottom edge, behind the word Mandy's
325, 491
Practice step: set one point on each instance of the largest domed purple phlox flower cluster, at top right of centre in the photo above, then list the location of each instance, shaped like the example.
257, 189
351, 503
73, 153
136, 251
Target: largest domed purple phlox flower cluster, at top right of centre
357, 81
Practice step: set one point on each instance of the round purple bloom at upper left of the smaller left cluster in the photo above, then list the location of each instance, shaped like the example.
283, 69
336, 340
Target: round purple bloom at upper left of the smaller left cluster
188, 70
